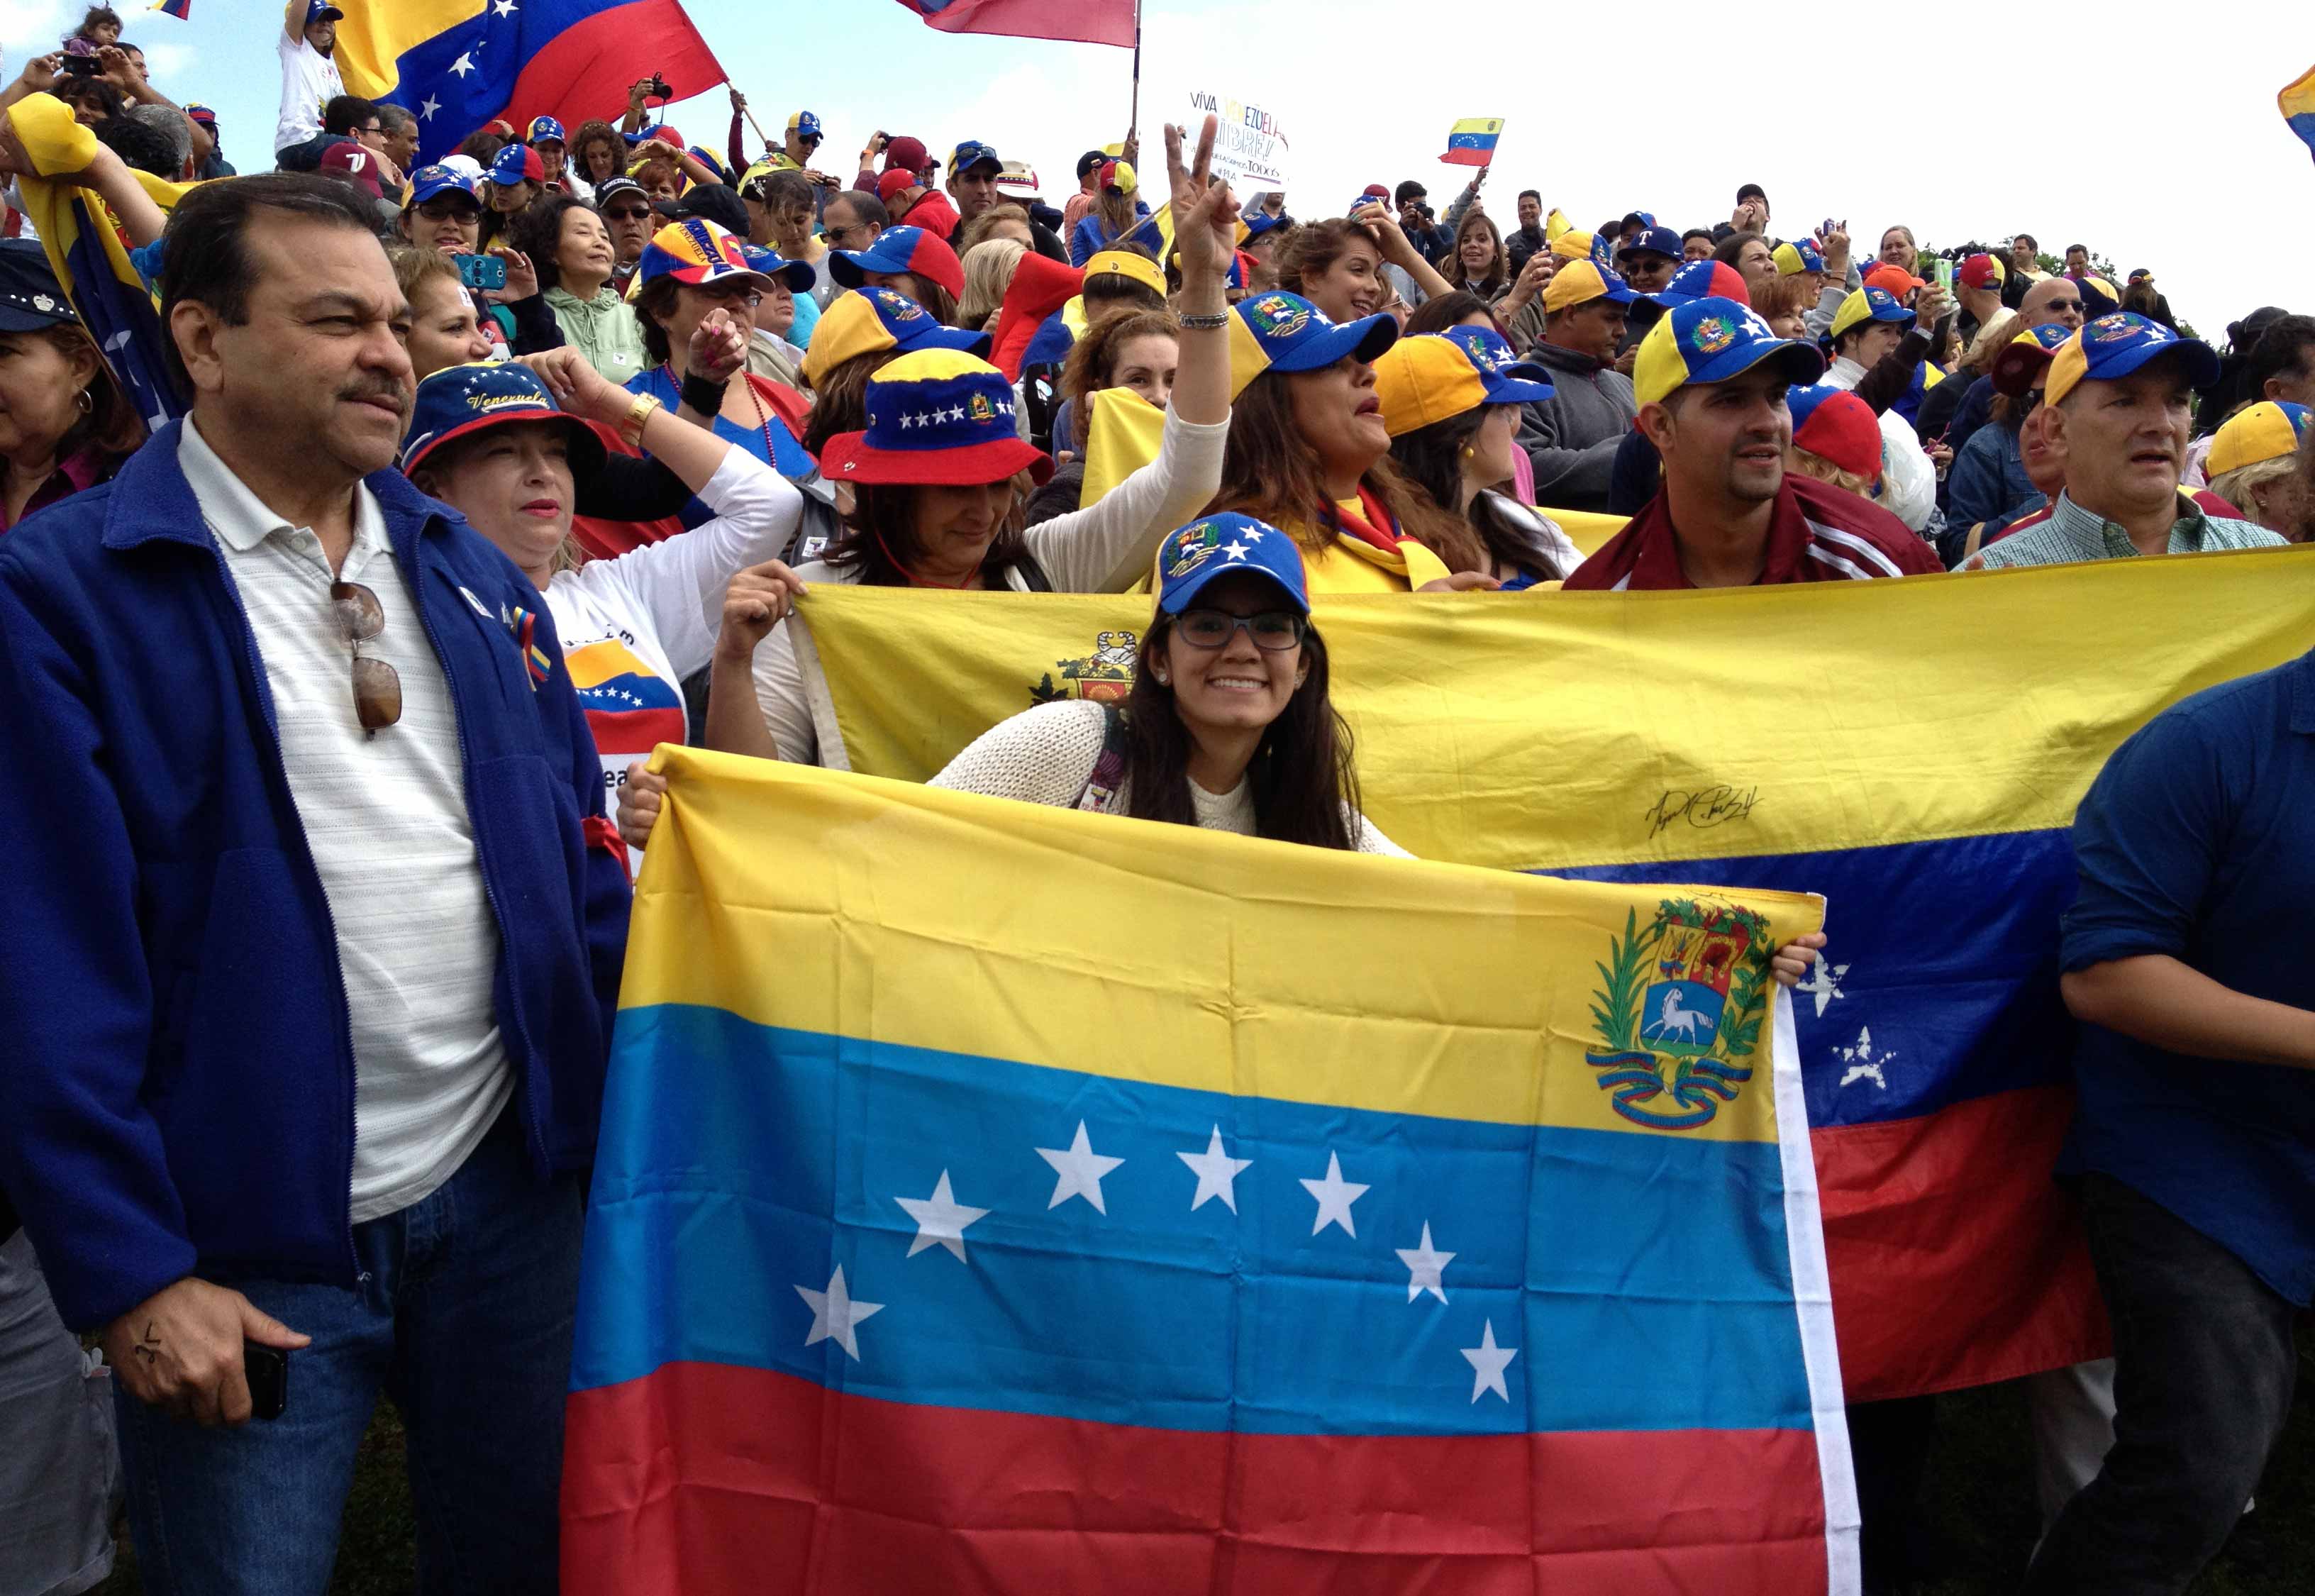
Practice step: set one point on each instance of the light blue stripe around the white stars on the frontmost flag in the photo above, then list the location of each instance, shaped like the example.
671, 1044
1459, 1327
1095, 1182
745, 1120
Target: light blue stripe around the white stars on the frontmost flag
1661, 1301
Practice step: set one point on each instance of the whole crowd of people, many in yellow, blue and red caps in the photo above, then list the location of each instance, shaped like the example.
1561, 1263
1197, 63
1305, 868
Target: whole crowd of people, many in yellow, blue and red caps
494, 474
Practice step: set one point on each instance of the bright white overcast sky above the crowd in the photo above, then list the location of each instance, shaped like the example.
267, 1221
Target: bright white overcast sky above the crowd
2161, 152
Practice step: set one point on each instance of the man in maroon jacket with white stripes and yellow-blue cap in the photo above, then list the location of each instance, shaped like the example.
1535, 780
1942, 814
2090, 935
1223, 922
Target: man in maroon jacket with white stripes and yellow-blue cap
1712, 400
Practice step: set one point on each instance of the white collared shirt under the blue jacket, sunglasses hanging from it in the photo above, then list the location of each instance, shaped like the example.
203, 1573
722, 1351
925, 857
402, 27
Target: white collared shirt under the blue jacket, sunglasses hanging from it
385, 819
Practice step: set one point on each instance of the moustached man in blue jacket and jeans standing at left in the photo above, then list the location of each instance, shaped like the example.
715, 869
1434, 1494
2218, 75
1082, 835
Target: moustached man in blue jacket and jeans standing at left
311, 967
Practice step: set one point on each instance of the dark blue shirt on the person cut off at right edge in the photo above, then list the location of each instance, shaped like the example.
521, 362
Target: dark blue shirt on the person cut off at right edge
2198, 842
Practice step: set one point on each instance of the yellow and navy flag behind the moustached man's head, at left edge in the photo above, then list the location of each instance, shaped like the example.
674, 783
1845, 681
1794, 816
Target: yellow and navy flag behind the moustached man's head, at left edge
89, 258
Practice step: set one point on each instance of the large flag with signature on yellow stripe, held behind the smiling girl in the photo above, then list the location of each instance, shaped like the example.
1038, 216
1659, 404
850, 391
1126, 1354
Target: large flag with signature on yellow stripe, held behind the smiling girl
1909, 749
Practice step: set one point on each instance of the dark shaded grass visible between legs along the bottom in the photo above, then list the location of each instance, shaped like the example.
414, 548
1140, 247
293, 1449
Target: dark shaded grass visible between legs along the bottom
1978, 1507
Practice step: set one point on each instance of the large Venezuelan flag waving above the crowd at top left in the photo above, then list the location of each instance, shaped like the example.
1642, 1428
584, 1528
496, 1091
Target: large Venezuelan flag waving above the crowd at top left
460, 64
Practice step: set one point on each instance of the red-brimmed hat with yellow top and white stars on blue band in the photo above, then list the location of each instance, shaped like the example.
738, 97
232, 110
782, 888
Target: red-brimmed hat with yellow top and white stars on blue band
936, 416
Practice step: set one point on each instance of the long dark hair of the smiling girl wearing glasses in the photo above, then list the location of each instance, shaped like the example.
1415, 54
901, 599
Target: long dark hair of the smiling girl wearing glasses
1305, 784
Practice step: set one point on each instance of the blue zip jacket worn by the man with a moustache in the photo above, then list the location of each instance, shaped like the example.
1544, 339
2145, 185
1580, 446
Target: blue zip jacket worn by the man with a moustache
179, 1088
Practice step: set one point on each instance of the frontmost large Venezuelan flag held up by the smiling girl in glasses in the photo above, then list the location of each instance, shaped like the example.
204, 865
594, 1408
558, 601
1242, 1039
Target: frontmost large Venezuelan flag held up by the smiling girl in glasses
999, 1199
